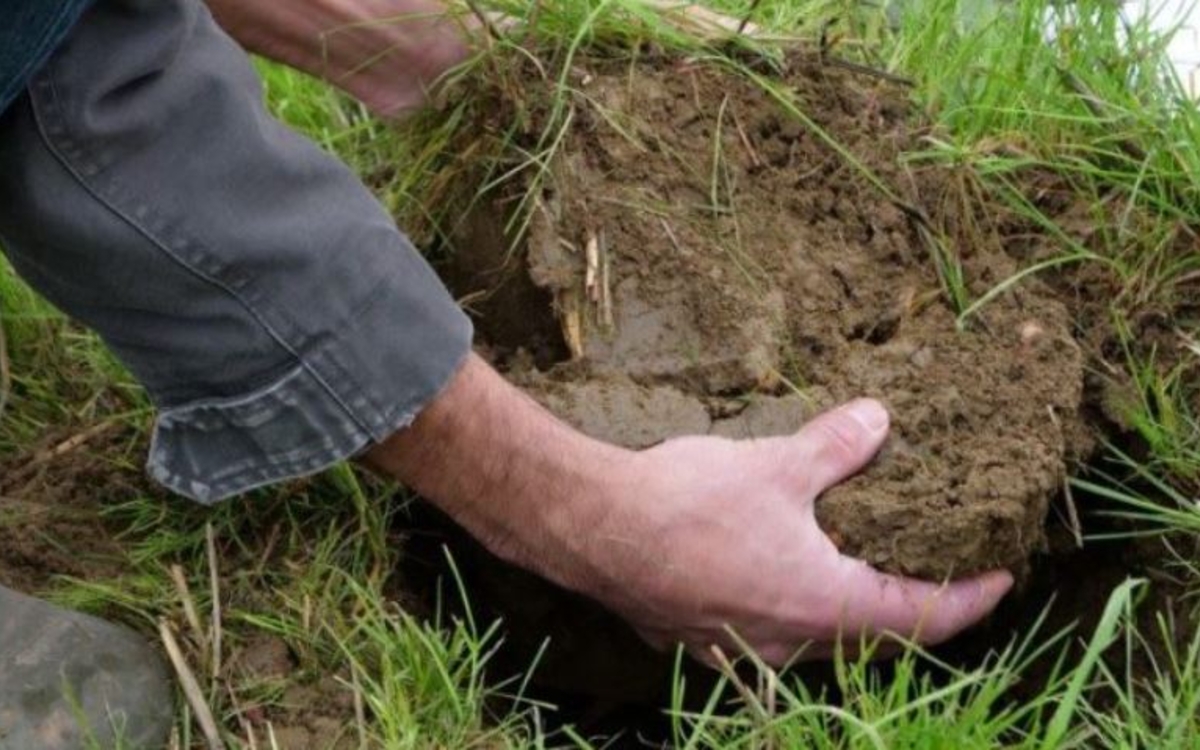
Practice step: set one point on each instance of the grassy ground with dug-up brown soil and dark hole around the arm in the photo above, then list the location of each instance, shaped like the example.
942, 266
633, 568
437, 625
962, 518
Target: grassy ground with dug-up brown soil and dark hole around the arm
705, 257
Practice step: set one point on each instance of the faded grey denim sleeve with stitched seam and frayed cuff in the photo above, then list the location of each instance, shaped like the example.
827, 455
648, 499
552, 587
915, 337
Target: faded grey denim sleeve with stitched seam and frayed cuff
267, 302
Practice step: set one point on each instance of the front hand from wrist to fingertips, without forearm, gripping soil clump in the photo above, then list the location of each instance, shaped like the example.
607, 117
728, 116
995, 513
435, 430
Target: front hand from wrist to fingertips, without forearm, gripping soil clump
712, 536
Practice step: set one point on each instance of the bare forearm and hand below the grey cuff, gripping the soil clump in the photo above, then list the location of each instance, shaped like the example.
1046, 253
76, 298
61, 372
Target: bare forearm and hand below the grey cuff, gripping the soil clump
687, 541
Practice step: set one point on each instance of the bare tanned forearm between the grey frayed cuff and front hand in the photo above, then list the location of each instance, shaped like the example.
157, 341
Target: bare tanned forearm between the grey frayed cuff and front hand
501, 465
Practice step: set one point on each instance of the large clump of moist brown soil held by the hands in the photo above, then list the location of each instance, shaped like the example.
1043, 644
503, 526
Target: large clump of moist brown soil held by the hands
717, 267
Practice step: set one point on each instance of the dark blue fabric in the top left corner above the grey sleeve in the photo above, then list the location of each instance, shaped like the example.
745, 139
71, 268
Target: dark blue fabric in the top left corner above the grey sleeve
29, 33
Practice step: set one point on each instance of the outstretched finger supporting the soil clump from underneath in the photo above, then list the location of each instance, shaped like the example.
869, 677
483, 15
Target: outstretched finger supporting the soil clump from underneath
877, 604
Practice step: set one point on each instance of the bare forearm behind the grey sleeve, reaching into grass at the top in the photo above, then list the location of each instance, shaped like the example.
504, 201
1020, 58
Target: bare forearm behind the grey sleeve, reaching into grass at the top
383, 52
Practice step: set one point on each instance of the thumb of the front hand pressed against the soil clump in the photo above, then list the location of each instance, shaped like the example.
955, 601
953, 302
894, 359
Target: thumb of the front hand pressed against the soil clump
841, 442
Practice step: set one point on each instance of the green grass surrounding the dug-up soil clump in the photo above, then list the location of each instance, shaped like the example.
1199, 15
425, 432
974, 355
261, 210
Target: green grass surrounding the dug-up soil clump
1099, 123
